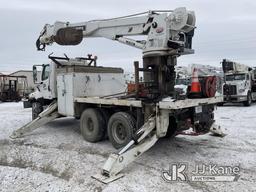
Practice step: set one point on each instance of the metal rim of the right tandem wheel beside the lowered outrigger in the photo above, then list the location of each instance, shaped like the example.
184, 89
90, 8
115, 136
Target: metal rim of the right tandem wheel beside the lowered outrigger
119, 132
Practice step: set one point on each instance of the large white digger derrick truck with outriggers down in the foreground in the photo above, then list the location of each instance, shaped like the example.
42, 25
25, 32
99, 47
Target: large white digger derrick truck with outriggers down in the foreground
132, 120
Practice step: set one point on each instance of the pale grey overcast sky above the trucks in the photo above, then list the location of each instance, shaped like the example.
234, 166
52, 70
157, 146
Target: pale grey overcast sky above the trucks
225, 29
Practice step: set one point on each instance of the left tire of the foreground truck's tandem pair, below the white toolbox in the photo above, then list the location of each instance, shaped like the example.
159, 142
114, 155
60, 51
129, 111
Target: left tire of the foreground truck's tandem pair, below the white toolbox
92, 125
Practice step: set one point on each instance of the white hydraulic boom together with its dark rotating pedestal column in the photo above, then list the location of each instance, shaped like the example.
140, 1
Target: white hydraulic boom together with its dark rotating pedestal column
168, 35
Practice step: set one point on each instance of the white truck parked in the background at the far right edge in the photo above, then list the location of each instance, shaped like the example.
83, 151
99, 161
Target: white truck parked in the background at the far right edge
240, 83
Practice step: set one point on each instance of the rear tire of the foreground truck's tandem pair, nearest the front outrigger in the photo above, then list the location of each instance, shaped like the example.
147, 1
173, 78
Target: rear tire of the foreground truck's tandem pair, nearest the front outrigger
121, 129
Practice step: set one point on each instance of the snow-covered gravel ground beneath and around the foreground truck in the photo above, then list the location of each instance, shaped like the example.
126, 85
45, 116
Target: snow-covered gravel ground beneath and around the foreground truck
56, 158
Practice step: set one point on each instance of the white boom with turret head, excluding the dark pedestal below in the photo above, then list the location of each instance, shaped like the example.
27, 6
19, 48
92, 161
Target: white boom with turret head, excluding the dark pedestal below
165, 31
